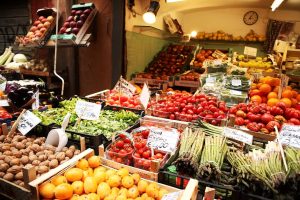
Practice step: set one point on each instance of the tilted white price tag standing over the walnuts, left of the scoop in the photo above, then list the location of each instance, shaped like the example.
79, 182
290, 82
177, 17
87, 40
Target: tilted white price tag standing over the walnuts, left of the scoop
27, 122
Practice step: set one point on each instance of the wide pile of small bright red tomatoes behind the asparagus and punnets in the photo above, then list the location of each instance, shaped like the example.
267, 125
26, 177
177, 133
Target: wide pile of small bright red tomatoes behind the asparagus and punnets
186, 107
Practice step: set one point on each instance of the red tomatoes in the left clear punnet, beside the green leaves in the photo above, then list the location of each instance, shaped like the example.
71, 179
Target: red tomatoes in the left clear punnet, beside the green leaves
121, 150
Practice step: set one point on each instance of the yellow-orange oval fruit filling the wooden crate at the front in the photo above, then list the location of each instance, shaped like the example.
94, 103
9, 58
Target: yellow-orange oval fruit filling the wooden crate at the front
89, 180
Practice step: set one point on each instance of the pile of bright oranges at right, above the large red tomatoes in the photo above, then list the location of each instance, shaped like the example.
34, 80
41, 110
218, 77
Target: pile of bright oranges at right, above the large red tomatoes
266, 91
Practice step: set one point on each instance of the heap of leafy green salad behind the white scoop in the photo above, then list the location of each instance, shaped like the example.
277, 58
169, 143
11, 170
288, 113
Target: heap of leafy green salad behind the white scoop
108, 122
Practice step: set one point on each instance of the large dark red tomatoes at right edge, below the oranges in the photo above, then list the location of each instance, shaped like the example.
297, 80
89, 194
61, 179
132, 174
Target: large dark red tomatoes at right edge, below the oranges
263, 118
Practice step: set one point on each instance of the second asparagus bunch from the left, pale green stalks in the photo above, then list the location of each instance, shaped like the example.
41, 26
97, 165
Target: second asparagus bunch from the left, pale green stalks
212, 157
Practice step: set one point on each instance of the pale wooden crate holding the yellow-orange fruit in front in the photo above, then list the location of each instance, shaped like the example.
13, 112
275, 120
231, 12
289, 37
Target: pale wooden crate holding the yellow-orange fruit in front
190, 191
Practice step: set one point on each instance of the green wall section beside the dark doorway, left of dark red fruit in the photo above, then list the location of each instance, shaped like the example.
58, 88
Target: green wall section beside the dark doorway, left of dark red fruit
140, 51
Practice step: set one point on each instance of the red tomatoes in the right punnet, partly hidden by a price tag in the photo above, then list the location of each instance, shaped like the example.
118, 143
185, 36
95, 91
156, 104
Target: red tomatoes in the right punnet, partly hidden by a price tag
142, 155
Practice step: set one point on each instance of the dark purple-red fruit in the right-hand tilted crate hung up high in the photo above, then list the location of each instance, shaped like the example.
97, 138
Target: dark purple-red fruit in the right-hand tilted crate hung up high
75, 21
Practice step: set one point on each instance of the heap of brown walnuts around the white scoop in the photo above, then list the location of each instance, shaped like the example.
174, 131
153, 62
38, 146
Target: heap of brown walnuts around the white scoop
19, 151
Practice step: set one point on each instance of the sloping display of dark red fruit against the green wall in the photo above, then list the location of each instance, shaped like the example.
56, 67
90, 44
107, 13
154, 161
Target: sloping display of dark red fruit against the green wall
170, 61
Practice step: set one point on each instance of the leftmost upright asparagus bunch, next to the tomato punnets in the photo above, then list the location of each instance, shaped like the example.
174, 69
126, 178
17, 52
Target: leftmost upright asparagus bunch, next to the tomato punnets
190, 150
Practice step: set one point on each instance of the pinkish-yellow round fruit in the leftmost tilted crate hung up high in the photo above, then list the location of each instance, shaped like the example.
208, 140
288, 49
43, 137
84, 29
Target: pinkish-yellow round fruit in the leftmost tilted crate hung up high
38, 29
